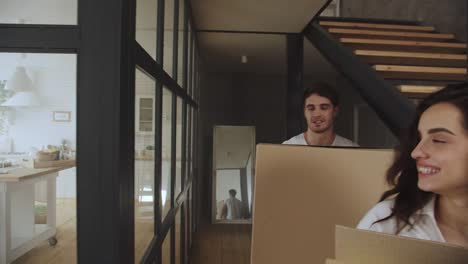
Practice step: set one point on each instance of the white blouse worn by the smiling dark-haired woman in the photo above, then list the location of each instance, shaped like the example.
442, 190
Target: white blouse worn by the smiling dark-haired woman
425, 228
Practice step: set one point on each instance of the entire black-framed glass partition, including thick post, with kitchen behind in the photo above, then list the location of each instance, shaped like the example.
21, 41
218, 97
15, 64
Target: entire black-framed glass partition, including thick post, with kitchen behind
126, 113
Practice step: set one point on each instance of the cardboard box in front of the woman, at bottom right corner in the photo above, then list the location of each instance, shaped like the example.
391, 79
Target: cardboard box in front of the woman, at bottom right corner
355, 246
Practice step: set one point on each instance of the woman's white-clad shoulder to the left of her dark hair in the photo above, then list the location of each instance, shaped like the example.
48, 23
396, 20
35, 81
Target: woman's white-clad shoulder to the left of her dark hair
378, 212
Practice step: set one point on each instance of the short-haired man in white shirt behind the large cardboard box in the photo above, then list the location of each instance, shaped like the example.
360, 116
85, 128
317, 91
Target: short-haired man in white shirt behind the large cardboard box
320, 111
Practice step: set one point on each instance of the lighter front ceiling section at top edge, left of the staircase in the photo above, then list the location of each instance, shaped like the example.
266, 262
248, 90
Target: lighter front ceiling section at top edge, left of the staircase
255, 15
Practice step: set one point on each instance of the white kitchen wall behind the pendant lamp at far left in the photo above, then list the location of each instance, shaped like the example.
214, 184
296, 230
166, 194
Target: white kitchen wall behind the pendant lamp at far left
54, 81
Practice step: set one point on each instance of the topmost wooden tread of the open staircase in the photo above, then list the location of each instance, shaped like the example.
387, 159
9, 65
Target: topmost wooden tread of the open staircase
376, 26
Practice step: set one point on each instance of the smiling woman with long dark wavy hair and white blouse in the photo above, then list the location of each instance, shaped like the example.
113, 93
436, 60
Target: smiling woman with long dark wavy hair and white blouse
430, 174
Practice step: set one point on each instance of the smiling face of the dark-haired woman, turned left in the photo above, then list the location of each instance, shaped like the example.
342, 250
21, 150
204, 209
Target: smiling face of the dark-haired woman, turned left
442, 151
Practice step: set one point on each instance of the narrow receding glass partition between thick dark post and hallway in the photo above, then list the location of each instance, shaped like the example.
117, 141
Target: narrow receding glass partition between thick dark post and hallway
167, 55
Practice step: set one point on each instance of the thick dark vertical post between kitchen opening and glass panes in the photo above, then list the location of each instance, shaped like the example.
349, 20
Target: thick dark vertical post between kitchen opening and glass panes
105, 131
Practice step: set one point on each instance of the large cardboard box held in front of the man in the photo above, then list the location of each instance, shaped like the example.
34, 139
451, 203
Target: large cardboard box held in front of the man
302, 192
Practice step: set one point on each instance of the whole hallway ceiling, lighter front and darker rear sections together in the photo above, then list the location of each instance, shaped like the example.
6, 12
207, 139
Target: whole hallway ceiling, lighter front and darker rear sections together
266, 53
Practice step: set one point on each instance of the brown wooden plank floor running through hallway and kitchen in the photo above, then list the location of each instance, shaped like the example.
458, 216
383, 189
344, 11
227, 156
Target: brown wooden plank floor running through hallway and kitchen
213, 244
